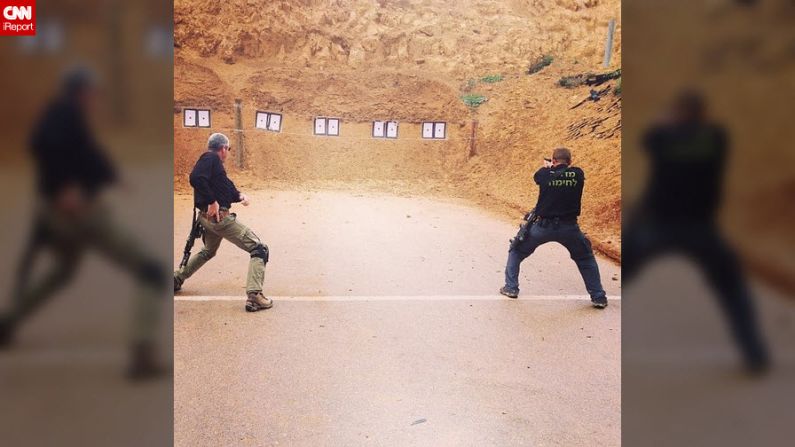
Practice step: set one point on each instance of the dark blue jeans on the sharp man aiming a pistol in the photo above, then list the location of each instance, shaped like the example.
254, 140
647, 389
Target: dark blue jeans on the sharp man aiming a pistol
566, 234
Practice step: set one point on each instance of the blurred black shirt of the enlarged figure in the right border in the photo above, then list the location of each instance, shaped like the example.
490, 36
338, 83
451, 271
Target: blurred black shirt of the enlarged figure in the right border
687, 164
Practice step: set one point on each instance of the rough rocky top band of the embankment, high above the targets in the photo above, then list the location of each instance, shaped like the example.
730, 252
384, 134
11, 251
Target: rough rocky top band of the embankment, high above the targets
433, 33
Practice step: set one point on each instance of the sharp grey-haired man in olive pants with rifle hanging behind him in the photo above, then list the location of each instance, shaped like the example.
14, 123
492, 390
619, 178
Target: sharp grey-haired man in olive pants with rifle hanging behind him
213, 194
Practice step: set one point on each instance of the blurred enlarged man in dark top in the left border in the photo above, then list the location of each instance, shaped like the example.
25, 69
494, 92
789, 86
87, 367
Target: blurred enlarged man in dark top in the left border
72, 171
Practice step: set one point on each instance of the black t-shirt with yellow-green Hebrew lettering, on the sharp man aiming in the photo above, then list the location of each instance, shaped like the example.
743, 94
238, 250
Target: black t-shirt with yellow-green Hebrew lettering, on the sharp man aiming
560, 191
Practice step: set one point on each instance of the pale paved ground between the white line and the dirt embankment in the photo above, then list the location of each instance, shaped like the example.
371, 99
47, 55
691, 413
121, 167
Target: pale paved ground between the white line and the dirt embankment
325, 243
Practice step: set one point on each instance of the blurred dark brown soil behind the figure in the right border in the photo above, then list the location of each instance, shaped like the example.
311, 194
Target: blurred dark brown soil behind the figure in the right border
731, 54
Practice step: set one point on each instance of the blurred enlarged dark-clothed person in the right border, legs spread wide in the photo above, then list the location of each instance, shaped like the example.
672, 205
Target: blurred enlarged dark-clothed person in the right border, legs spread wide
678, 212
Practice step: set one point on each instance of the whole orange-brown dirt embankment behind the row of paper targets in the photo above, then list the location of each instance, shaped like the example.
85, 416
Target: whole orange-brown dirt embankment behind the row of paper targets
409, 61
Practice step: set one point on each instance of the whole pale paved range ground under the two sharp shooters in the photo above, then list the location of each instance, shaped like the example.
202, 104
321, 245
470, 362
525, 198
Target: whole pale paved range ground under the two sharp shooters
387, 330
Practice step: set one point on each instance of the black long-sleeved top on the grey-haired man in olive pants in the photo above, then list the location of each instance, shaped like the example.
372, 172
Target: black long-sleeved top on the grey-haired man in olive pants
211, 184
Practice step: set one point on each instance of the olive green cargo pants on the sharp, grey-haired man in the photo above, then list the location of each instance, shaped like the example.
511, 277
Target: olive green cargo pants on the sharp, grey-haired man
235, 232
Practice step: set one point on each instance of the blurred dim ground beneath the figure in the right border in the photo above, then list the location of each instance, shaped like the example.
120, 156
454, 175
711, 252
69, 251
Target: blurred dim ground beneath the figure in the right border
681, 380
